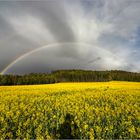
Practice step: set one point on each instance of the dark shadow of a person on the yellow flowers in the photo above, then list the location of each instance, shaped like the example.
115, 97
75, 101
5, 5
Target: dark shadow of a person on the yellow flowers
69, 129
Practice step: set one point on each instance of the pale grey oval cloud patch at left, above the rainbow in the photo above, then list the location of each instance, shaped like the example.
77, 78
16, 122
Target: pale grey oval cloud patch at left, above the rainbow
31, 28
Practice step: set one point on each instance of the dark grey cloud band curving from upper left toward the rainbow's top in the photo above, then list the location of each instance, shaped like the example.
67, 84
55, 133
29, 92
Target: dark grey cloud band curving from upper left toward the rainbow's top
51, 13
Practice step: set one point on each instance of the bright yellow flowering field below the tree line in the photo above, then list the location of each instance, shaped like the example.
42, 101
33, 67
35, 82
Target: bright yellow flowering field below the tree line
71, 110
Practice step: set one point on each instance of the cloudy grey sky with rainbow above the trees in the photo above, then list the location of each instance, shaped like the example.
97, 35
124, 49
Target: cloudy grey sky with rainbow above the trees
38, 36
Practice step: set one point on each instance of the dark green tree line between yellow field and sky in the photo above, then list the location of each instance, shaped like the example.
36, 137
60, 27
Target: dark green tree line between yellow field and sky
69, 76
